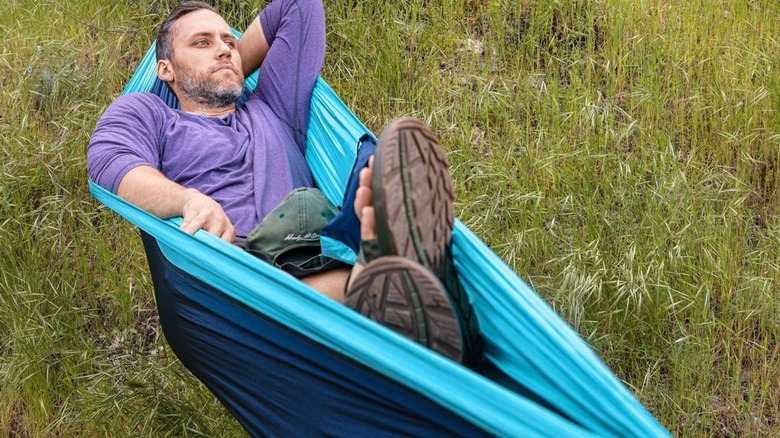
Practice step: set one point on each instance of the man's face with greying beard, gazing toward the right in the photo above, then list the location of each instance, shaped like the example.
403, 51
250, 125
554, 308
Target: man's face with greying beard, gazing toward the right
205, 63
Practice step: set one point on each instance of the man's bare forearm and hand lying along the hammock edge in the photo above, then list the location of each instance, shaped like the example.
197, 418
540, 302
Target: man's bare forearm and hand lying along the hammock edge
149, 189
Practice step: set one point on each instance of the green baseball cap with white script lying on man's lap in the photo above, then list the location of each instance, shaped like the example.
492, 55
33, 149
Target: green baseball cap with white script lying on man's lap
290, 233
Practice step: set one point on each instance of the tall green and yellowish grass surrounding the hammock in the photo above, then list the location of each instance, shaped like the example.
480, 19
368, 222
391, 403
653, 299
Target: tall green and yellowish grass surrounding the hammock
622, 156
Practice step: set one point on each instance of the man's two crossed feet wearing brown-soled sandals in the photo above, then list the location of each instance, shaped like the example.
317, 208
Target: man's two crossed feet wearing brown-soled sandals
404, 203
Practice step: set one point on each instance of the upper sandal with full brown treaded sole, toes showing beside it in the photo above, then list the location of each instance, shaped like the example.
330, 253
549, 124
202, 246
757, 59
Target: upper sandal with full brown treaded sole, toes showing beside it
413, 196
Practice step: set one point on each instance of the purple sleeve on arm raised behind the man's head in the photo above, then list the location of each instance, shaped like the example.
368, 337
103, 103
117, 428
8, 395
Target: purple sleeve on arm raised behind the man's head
295, 31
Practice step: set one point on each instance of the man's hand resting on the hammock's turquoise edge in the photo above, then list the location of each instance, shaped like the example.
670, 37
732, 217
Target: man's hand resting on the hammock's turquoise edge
201, 212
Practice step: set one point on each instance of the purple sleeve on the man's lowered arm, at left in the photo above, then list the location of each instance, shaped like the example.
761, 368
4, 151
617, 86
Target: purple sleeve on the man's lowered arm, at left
126, 136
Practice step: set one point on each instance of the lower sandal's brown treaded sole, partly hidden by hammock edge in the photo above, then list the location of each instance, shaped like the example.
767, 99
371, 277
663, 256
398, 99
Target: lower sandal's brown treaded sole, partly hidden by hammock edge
407, 298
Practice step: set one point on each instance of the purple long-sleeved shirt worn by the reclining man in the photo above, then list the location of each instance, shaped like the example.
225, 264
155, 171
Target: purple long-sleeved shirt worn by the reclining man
249, 160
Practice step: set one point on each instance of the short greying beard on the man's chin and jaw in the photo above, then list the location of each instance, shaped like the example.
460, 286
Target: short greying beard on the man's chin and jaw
211, 94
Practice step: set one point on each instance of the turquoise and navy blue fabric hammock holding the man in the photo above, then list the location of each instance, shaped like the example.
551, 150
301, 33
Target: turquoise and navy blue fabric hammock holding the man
286, 360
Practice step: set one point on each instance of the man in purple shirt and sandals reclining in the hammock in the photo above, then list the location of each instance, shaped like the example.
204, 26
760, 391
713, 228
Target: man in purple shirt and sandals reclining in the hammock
224, 169
